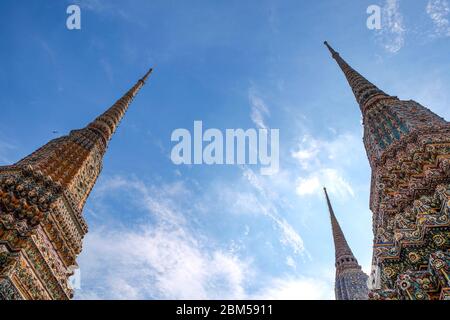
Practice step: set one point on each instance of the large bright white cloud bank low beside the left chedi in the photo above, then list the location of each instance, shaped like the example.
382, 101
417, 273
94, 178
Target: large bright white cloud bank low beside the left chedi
160, 263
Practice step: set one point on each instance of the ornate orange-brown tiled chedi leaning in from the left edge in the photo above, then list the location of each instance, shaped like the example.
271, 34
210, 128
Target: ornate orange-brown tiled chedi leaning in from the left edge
41, 202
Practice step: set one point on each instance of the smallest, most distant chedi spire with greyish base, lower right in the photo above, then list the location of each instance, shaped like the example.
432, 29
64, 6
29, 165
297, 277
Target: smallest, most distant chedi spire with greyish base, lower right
351, 281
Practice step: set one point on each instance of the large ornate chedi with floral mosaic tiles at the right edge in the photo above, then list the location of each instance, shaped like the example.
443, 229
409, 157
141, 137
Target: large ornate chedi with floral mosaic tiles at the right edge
408, 147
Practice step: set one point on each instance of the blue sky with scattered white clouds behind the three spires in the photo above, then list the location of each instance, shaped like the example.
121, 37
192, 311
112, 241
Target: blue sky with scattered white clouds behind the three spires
158, 230
